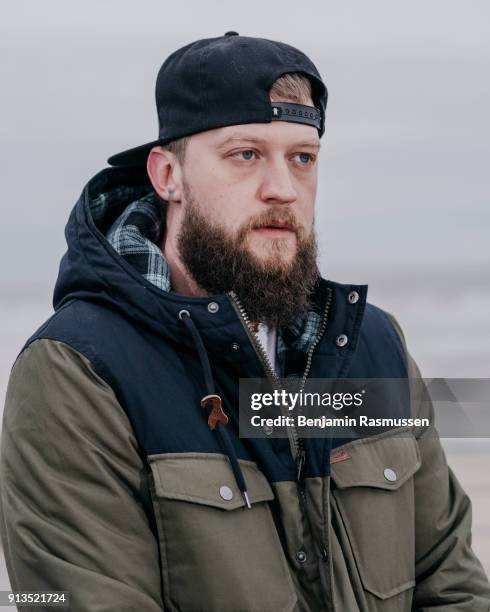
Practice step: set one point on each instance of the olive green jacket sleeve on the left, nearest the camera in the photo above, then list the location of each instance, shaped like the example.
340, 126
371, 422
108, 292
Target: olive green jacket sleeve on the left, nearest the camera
76, 512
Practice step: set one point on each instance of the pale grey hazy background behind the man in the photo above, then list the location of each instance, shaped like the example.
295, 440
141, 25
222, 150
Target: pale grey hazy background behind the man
403, 195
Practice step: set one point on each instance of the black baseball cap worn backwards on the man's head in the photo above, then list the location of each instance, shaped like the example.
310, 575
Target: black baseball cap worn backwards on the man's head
216, 82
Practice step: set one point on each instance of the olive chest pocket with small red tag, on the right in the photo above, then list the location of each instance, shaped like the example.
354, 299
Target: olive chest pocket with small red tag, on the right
374, 498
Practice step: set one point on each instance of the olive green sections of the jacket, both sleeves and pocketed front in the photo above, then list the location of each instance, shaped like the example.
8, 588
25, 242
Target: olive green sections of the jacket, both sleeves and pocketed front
83, 511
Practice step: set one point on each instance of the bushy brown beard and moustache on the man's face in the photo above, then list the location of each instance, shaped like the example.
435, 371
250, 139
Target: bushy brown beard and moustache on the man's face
272, 291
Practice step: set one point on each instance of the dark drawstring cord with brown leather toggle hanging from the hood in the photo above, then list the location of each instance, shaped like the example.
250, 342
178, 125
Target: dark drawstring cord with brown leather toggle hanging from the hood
217, 418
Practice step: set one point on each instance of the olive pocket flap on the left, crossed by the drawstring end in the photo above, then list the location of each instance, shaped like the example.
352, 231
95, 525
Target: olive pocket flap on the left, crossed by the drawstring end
206, 478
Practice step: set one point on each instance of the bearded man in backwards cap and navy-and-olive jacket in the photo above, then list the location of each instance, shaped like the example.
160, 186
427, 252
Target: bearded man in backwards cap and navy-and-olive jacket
192, 263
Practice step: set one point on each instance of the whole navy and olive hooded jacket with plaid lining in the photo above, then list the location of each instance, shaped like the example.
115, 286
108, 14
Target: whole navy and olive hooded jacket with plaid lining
115, 489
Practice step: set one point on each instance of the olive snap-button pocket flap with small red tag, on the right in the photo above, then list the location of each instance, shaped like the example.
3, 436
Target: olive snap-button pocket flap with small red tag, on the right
384, 462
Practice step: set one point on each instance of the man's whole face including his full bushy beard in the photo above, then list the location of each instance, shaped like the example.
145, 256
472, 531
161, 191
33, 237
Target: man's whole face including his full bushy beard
245, 219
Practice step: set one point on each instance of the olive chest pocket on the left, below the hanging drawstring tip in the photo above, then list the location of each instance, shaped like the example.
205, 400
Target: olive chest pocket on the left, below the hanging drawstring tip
216, 554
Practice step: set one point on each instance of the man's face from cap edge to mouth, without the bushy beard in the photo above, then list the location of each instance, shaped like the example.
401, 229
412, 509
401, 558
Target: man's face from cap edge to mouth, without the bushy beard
258, 182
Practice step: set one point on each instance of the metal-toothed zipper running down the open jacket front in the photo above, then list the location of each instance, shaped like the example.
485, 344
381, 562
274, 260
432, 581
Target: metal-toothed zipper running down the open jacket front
295, 438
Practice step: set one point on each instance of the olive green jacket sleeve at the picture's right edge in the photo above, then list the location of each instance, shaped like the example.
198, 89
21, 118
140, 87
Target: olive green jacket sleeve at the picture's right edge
448, 575
